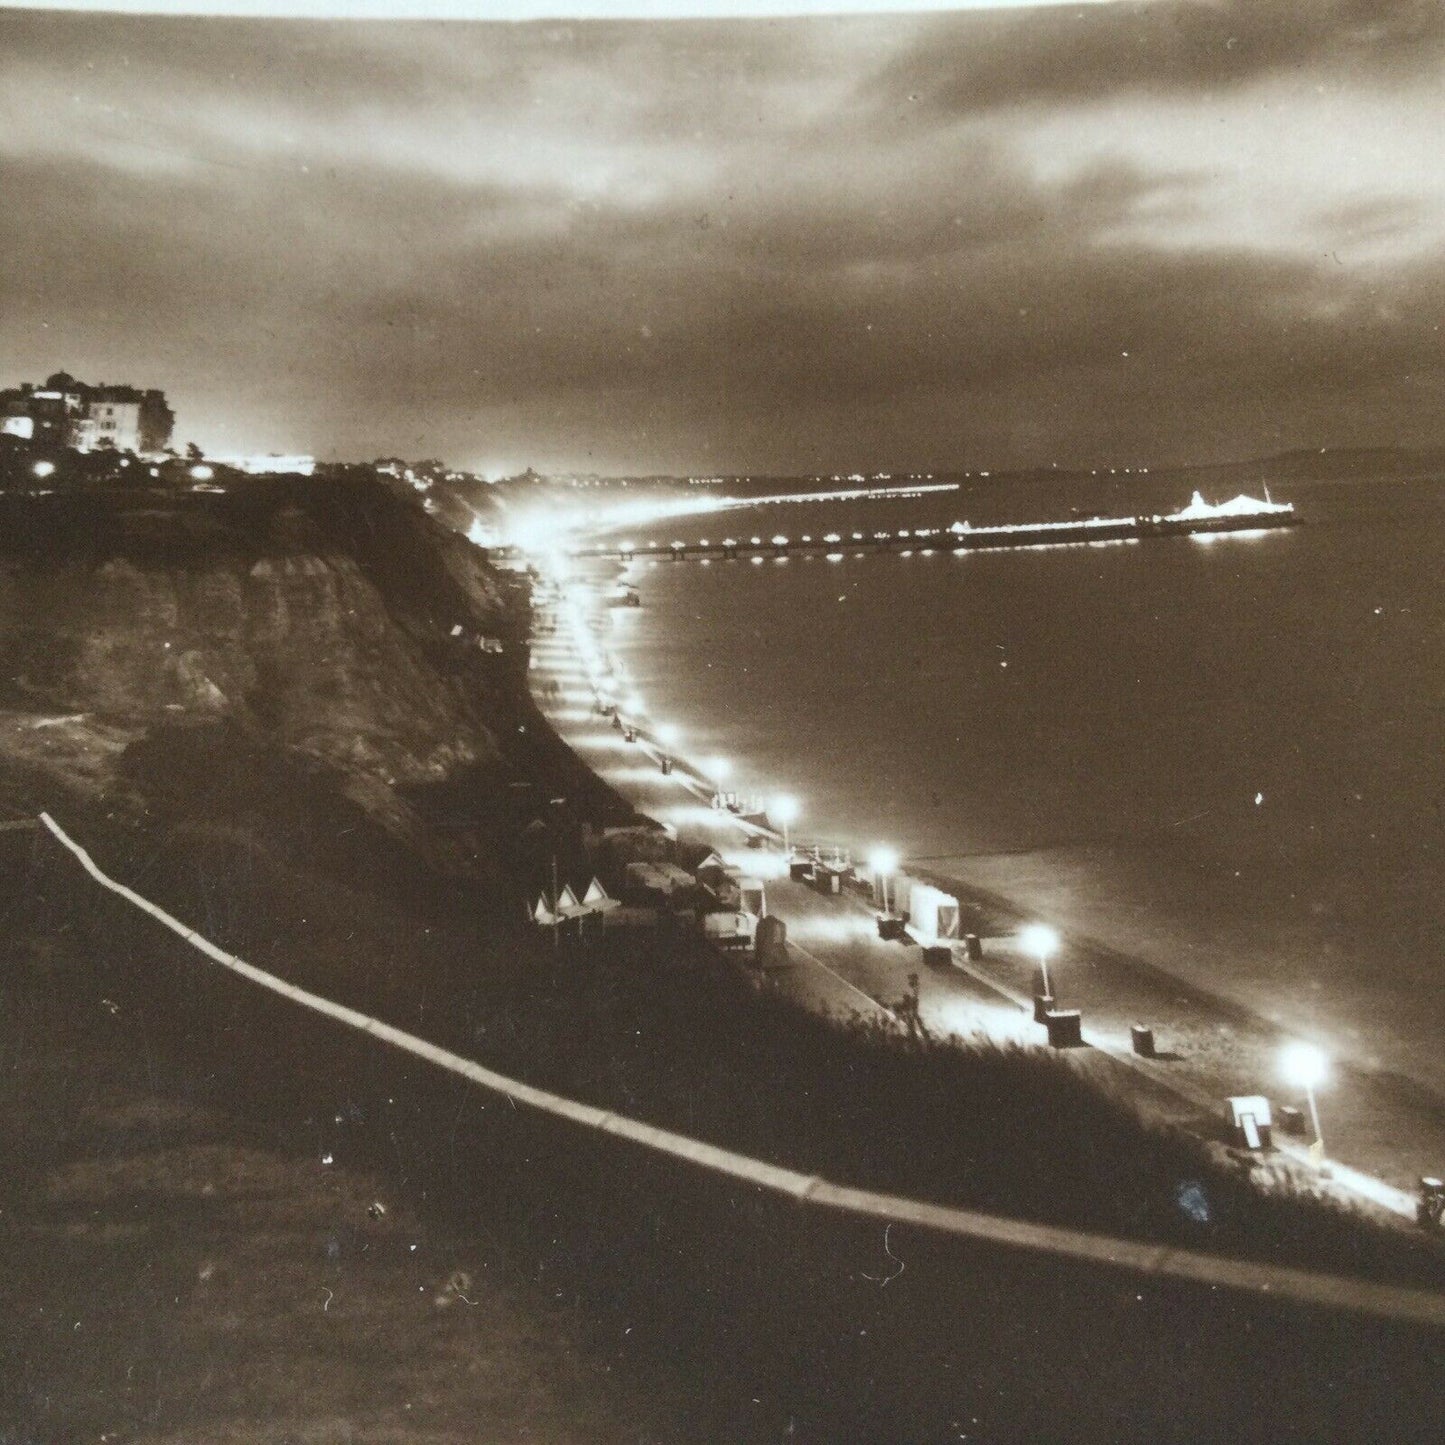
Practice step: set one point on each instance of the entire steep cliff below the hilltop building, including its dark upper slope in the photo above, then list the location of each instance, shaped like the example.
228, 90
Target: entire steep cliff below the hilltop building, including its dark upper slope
309, 626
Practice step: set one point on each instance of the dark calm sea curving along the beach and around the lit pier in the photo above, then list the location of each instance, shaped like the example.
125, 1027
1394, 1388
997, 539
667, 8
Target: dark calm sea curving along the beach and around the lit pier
1223, 756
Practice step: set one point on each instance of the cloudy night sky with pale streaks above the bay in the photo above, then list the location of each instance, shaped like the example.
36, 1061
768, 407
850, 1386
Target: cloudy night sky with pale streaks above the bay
1109, 235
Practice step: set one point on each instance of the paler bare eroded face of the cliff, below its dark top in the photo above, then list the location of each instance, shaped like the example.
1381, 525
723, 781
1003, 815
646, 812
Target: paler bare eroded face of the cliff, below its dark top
301, 648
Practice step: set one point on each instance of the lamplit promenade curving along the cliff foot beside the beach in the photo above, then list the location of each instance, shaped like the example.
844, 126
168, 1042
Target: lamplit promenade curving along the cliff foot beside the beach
1382, 1132
